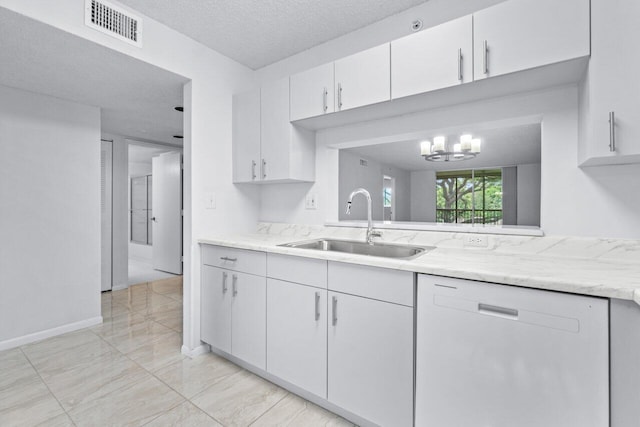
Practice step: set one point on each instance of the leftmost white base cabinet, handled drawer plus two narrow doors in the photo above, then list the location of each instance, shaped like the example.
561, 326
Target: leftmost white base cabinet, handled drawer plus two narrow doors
233, 303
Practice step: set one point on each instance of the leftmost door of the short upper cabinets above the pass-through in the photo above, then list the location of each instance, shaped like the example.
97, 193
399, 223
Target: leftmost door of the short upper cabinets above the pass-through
312, 92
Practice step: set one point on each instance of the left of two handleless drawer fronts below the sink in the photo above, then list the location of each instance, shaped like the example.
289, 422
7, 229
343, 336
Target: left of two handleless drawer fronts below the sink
308, 271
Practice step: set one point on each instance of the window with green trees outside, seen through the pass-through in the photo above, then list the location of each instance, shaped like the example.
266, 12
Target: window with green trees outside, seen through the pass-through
469, 197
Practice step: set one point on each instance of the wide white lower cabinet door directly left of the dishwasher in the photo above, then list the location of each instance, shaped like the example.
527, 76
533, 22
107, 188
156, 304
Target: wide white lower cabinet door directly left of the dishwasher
370, 359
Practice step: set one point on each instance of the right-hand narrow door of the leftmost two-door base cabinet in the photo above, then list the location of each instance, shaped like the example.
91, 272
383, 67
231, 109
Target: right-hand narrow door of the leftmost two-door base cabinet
248, 318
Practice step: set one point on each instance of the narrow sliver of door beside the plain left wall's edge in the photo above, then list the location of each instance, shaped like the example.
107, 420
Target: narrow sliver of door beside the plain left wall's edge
106, 161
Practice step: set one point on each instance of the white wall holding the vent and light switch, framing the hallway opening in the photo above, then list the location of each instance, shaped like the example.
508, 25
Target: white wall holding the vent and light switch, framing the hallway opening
207, 130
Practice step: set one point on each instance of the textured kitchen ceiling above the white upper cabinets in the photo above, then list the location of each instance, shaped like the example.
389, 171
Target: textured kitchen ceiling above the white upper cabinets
260, 32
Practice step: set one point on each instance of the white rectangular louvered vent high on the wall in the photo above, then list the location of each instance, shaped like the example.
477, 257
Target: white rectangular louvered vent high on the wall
113, 20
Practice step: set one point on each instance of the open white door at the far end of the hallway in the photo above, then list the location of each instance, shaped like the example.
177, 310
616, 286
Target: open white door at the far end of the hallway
167, 212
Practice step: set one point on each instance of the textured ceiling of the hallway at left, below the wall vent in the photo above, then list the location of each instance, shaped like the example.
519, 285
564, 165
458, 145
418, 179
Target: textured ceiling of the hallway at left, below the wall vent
136, 98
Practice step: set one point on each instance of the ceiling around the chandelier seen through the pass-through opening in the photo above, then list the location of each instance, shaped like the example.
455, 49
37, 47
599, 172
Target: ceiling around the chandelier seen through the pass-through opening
506, 146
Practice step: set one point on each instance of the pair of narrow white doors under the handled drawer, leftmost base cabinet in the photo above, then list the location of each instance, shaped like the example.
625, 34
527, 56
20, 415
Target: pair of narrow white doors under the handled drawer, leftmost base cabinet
234, 313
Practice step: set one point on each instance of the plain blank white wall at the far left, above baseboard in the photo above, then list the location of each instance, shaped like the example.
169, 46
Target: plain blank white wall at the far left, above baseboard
50, 210
